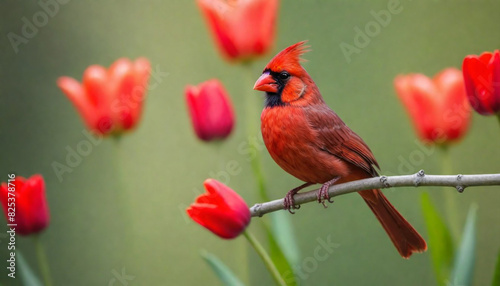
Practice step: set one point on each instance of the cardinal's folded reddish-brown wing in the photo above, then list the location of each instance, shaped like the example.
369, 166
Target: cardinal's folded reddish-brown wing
336, 138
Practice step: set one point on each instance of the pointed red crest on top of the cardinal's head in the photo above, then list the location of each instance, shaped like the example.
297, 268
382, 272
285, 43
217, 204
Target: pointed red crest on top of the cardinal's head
289, 59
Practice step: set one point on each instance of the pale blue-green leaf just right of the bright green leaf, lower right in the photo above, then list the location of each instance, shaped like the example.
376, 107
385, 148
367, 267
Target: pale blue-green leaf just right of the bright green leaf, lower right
463, 268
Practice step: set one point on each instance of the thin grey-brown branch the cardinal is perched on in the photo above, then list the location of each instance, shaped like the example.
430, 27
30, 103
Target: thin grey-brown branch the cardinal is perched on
460, 182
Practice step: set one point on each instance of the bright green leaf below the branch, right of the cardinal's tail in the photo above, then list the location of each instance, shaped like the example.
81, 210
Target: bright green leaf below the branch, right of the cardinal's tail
440, 242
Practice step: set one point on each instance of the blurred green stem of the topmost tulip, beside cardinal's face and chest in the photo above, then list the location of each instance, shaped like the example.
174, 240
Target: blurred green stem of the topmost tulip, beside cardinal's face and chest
252, 118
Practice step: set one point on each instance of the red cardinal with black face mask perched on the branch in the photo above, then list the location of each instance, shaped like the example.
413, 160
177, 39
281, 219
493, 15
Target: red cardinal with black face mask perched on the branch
310, 141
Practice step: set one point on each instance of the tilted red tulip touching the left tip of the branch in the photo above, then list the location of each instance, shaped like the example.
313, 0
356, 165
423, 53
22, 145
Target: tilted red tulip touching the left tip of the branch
221, 210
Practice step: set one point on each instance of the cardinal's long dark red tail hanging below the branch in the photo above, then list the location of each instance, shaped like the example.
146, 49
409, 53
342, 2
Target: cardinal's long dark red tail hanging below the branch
406, 239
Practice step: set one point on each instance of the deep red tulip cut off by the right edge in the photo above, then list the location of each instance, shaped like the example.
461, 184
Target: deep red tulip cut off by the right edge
482, 82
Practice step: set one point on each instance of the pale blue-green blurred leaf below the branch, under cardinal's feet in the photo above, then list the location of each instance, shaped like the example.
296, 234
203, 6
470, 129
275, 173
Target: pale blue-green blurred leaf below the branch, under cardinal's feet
282, 229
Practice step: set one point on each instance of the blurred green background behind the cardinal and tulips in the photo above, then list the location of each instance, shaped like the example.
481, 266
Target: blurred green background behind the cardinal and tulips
123, 206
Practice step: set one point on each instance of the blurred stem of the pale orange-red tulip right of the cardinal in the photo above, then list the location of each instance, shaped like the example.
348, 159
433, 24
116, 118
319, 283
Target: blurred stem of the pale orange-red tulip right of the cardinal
450, 197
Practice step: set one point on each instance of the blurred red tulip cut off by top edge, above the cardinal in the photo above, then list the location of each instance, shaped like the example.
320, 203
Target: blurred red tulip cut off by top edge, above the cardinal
242, 29
